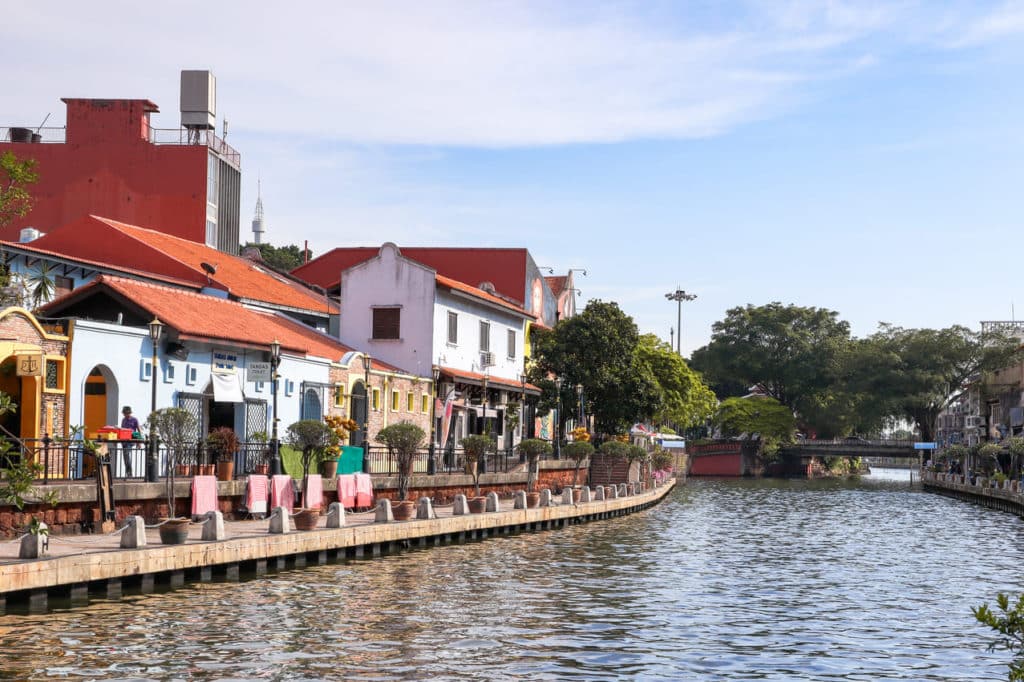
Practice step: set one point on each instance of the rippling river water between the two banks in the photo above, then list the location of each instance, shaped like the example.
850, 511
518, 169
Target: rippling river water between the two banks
751, 580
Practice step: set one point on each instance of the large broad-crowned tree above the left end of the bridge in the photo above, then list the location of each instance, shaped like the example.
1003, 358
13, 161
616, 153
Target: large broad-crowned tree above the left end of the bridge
787, 352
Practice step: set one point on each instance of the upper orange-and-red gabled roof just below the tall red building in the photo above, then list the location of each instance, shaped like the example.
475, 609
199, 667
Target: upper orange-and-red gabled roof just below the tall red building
121, 245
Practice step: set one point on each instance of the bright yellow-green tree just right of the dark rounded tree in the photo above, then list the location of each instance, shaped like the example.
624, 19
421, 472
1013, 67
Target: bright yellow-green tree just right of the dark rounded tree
682, 396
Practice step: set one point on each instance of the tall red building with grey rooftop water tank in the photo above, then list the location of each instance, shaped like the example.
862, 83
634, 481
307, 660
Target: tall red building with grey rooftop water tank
111, 161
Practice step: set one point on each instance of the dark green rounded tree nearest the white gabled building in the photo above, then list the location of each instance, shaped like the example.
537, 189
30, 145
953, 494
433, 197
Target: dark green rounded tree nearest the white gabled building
598, 351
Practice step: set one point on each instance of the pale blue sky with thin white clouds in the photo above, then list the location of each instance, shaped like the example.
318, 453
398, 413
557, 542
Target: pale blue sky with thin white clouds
867, 158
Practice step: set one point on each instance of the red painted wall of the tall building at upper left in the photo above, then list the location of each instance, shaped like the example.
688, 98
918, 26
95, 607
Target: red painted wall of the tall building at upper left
108, 168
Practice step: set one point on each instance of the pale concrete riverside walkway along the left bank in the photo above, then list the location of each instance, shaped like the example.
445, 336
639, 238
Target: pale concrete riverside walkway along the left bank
83, 565
